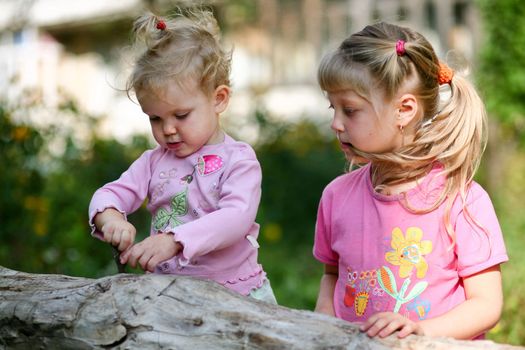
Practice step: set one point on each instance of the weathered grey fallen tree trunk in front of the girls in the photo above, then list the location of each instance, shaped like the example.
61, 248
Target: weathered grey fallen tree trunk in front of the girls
128, 311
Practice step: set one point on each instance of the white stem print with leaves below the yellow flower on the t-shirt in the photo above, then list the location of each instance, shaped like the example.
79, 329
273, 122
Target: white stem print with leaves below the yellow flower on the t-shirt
387, 281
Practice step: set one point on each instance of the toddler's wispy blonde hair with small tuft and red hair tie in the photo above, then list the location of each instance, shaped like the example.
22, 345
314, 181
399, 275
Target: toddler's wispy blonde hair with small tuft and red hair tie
185, 45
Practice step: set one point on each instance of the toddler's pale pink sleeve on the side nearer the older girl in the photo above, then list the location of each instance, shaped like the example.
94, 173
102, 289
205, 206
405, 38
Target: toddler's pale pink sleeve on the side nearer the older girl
235, 218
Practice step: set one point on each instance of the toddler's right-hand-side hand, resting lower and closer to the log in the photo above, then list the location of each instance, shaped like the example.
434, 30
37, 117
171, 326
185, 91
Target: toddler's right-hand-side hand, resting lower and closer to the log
151, 251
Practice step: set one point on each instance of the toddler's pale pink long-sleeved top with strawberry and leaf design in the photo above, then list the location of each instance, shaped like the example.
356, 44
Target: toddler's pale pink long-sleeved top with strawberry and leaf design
209, 200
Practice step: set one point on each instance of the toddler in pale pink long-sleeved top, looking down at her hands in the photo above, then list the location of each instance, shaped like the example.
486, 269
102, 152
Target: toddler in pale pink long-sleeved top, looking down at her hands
203, 187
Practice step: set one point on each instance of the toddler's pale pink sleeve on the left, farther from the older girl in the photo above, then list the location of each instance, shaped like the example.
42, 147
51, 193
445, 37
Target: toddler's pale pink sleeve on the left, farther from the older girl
125, 194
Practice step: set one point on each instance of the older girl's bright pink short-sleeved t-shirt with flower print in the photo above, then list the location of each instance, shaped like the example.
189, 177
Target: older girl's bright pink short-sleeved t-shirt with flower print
390, 259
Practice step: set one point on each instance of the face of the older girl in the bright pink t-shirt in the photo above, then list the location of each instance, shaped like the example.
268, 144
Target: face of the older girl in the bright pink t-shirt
369, 126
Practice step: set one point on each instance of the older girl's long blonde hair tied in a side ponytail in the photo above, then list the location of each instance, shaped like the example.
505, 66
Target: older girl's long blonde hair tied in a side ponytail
454, 135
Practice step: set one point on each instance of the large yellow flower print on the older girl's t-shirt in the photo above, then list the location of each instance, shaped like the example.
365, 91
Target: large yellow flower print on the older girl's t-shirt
408, 251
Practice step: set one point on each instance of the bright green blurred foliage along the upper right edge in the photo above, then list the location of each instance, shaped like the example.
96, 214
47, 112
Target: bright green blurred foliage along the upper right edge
501, 80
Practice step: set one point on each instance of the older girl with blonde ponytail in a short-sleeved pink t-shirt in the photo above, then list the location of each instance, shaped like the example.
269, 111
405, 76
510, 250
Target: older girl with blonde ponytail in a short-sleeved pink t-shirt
411, 244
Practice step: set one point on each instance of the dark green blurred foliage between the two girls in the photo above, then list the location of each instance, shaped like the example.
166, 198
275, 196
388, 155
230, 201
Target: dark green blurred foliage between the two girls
298, 160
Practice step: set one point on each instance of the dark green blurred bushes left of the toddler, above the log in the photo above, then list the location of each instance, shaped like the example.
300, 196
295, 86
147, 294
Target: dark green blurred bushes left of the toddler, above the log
45, 193
